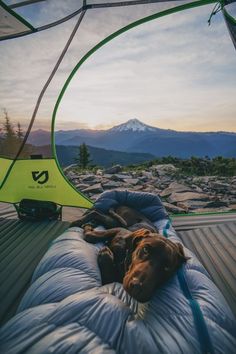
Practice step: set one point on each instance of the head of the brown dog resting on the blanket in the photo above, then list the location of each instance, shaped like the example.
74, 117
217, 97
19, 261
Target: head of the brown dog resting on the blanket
154, 260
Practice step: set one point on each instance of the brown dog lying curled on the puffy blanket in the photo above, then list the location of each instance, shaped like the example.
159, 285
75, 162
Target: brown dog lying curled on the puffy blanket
141, 260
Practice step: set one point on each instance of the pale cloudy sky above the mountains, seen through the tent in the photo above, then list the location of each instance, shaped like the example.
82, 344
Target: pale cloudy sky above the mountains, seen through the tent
175, 72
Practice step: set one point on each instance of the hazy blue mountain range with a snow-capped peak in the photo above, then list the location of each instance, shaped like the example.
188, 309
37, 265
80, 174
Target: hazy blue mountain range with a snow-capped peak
135, 136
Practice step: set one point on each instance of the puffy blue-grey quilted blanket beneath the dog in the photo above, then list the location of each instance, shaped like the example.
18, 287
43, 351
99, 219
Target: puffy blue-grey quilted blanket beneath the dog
67, 310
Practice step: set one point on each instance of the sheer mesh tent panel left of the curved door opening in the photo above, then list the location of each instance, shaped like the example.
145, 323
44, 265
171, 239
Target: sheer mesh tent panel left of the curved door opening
41, 51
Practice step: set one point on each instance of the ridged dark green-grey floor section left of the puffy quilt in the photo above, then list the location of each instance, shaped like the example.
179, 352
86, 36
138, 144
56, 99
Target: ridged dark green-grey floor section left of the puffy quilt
22, 245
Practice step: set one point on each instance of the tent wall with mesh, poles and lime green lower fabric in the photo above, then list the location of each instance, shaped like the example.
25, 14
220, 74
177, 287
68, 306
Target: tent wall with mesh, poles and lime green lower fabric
26, 174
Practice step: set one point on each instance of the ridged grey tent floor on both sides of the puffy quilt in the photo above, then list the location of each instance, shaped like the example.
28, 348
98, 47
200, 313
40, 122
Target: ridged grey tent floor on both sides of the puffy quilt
22, 244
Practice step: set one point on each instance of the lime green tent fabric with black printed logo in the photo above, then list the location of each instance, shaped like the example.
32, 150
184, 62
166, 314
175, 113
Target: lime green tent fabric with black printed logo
42, 180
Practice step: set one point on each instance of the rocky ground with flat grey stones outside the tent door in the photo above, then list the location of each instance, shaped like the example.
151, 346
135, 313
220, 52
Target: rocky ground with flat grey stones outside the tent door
179, 193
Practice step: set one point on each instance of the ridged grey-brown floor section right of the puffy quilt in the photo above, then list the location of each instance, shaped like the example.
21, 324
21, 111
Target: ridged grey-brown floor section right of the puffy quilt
215, 247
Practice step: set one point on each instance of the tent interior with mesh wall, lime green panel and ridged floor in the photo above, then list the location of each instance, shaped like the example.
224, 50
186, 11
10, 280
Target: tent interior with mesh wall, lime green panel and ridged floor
28, 28
